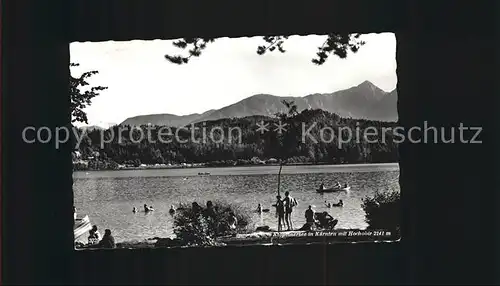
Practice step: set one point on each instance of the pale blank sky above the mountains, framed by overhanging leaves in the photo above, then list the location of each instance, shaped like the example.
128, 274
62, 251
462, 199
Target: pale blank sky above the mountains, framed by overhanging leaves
141, 81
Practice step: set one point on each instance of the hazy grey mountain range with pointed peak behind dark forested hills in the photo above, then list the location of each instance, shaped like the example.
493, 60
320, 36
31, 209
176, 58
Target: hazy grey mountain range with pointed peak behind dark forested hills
364, 101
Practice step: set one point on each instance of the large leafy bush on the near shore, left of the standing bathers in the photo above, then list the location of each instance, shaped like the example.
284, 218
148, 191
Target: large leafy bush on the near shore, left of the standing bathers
196, 226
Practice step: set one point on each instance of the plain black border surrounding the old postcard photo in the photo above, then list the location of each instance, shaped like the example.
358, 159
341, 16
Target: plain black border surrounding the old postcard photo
442, 245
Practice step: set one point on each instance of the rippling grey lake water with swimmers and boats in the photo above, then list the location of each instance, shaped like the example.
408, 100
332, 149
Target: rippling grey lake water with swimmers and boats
108, 197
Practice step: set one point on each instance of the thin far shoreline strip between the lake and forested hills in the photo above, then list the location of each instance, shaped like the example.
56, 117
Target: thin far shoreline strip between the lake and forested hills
153, 167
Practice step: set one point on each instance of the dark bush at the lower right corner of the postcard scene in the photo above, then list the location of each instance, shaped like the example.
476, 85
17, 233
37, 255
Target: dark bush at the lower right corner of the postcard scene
383, 210
